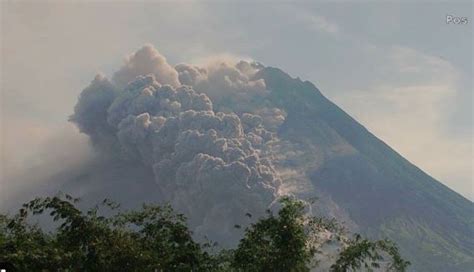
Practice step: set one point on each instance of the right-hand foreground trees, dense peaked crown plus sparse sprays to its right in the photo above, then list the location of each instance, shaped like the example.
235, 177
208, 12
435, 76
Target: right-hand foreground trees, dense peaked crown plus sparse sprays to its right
289, 241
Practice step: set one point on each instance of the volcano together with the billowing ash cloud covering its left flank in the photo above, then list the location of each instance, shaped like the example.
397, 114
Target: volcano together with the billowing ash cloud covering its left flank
225, 139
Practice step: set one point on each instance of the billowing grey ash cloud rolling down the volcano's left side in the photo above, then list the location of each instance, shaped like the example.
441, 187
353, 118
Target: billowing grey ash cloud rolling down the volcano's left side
213, 166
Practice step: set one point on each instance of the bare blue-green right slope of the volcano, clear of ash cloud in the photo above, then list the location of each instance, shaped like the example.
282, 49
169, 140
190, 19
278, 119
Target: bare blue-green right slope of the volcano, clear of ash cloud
359, 178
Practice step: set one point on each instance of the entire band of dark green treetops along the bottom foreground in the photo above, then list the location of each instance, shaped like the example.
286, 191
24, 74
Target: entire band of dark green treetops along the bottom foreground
156, 239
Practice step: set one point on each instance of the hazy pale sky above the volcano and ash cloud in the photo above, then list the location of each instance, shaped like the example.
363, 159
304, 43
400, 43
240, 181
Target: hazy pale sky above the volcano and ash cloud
399, 69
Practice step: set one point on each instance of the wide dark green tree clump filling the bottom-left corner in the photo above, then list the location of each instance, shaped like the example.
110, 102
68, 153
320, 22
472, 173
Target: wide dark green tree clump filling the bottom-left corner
145, 240
